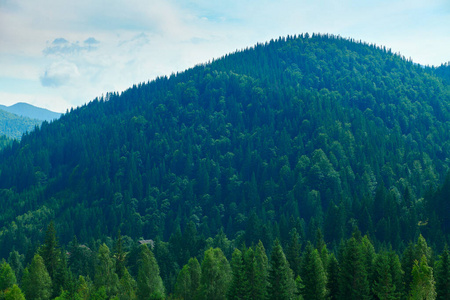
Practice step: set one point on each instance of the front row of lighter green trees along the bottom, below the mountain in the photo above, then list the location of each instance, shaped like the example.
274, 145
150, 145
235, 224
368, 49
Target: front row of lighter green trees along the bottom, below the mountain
356, 271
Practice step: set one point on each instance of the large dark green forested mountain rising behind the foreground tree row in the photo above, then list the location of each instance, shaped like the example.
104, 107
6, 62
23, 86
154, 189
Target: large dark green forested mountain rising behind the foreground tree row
319, 131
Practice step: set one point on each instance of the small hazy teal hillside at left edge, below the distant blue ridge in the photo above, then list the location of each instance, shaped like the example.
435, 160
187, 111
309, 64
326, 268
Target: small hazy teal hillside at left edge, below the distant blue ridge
14, 126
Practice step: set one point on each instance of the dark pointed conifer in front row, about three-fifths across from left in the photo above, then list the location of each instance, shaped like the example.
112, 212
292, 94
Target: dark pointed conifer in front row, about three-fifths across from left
281, 278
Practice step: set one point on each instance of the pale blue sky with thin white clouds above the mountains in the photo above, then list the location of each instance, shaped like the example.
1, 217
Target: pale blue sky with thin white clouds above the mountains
59, 54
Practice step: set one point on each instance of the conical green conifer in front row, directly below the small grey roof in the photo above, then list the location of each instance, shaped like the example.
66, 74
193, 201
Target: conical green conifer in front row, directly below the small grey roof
149, 282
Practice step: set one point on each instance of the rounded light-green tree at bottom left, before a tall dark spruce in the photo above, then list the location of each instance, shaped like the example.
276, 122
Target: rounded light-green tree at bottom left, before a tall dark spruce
36, 282
